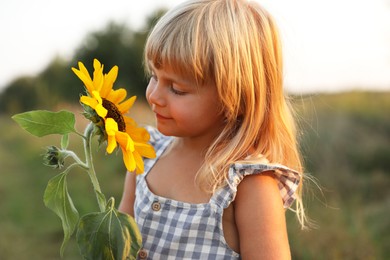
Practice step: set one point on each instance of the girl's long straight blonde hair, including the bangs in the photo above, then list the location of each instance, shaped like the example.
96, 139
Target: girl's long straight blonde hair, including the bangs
235, 45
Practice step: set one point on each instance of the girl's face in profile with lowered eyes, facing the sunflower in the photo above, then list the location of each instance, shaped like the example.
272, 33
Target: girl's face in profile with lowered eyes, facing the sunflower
183, 109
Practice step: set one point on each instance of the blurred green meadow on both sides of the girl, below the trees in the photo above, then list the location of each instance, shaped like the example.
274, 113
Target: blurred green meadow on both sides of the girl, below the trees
345, 141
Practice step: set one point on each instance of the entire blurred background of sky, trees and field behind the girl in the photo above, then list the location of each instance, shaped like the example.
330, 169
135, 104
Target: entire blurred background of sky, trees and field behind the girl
337, 71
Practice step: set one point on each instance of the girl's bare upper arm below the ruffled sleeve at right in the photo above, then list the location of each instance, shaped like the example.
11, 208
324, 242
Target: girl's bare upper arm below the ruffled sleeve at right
260, 219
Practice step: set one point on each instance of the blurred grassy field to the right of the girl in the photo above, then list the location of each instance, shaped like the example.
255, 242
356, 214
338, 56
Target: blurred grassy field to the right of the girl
346, 146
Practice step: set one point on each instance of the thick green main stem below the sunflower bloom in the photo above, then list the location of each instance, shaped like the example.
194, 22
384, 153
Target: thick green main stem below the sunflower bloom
91, 170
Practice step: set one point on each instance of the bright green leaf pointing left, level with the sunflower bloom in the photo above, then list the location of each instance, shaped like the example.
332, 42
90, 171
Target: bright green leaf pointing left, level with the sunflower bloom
42, 122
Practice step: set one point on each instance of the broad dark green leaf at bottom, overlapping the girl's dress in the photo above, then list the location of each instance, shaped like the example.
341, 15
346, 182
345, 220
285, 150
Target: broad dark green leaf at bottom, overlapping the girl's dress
108, 235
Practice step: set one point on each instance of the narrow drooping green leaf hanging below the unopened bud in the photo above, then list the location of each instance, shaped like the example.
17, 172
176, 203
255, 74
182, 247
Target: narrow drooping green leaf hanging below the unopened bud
57, 199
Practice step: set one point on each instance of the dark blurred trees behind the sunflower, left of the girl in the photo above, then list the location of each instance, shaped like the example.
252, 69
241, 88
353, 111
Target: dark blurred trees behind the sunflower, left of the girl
116, 44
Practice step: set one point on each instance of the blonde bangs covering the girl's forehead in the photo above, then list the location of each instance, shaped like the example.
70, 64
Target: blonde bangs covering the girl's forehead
182, 50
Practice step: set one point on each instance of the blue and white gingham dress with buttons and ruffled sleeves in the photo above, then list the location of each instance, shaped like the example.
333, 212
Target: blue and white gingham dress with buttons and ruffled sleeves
178, 230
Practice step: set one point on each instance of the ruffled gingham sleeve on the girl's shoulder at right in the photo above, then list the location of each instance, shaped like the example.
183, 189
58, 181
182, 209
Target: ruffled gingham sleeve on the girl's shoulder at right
288, 181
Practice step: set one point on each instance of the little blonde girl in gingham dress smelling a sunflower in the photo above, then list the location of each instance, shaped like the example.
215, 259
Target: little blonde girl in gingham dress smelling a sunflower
227, 162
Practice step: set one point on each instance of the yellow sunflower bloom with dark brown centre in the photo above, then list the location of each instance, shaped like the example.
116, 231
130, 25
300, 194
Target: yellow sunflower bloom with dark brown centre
110, 106
